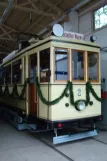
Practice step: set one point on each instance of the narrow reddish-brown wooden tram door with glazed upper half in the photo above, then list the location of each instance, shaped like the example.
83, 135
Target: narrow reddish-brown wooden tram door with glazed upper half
32, 87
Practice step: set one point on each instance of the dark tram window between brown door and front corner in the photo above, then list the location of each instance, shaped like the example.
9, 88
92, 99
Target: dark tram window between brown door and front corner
45, 65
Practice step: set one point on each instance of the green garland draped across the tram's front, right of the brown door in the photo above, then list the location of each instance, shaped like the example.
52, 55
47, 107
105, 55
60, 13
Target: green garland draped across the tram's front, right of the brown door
69, 87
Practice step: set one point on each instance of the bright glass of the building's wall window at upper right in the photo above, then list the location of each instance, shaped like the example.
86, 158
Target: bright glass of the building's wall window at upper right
100, 17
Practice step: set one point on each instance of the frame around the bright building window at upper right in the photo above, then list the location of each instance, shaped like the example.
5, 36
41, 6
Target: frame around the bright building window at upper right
93, 17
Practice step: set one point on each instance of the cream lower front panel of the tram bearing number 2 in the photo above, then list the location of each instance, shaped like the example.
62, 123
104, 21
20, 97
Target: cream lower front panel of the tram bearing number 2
61, 112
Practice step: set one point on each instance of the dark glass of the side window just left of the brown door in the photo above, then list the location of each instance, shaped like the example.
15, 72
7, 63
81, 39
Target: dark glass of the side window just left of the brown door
17, 72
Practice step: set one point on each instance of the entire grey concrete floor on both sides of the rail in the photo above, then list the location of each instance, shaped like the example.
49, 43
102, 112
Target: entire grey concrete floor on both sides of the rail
21, 146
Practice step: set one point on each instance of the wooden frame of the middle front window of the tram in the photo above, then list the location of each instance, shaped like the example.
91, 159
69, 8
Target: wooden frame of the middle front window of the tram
85, 62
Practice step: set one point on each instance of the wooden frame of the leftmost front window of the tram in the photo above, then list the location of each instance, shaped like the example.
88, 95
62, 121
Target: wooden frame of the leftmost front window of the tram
68, 63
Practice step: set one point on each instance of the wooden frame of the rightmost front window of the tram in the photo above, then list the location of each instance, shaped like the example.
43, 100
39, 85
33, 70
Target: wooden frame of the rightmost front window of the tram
98, 67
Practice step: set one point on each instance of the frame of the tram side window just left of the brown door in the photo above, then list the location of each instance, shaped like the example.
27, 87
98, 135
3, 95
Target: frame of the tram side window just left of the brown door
18, 83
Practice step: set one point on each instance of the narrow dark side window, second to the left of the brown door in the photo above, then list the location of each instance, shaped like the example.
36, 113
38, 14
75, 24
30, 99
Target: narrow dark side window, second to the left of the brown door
8, 74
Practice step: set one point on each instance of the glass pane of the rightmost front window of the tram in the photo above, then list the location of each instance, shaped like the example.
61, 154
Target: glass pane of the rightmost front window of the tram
92, 66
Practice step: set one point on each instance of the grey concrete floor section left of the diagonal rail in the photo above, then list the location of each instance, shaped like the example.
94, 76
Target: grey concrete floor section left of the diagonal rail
20, 146
